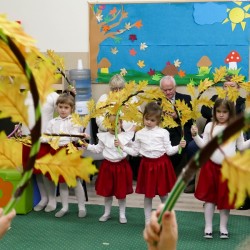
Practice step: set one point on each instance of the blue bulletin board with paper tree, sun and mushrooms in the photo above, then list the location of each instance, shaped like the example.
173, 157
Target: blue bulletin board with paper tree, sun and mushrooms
144, 41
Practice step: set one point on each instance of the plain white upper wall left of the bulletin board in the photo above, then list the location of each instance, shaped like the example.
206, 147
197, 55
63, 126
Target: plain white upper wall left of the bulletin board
60, 25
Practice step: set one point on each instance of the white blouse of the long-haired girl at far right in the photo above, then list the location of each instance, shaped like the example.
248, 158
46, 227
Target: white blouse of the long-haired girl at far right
229, 148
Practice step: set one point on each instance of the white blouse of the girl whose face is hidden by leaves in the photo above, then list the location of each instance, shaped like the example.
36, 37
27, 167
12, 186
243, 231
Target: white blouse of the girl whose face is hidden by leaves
107, 147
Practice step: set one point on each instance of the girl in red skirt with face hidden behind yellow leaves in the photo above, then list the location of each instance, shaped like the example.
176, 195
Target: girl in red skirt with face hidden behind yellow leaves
115, 174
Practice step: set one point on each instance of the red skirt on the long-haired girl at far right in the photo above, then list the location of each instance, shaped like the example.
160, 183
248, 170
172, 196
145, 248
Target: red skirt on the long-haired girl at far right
211, 188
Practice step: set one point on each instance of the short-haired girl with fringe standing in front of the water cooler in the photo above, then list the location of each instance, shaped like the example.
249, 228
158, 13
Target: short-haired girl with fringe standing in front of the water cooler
63, 124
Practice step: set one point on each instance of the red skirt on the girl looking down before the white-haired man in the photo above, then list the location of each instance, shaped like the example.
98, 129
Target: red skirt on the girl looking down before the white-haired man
155, 177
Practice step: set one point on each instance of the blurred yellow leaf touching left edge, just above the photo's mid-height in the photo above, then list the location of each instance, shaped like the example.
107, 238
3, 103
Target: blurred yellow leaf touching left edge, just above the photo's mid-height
12, 103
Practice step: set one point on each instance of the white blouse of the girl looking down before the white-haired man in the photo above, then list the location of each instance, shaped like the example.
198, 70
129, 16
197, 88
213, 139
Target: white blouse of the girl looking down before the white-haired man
152, 143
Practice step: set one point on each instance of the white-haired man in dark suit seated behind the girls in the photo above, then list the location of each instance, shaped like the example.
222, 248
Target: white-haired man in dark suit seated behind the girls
168, 87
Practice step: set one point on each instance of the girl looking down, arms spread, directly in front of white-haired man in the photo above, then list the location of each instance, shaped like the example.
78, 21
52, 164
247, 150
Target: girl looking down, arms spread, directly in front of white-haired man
156, 174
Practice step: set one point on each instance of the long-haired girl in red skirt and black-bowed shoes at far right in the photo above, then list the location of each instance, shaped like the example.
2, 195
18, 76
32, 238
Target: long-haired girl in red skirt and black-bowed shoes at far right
211, 189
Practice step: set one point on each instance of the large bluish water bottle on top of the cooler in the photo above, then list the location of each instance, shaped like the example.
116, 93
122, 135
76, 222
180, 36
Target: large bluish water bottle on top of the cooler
82, 82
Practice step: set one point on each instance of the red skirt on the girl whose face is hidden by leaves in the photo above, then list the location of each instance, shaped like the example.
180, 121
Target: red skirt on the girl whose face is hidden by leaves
114, 179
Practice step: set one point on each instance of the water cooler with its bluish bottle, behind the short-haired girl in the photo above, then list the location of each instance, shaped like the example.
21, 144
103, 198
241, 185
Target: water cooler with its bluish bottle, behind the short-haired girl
81, 80
